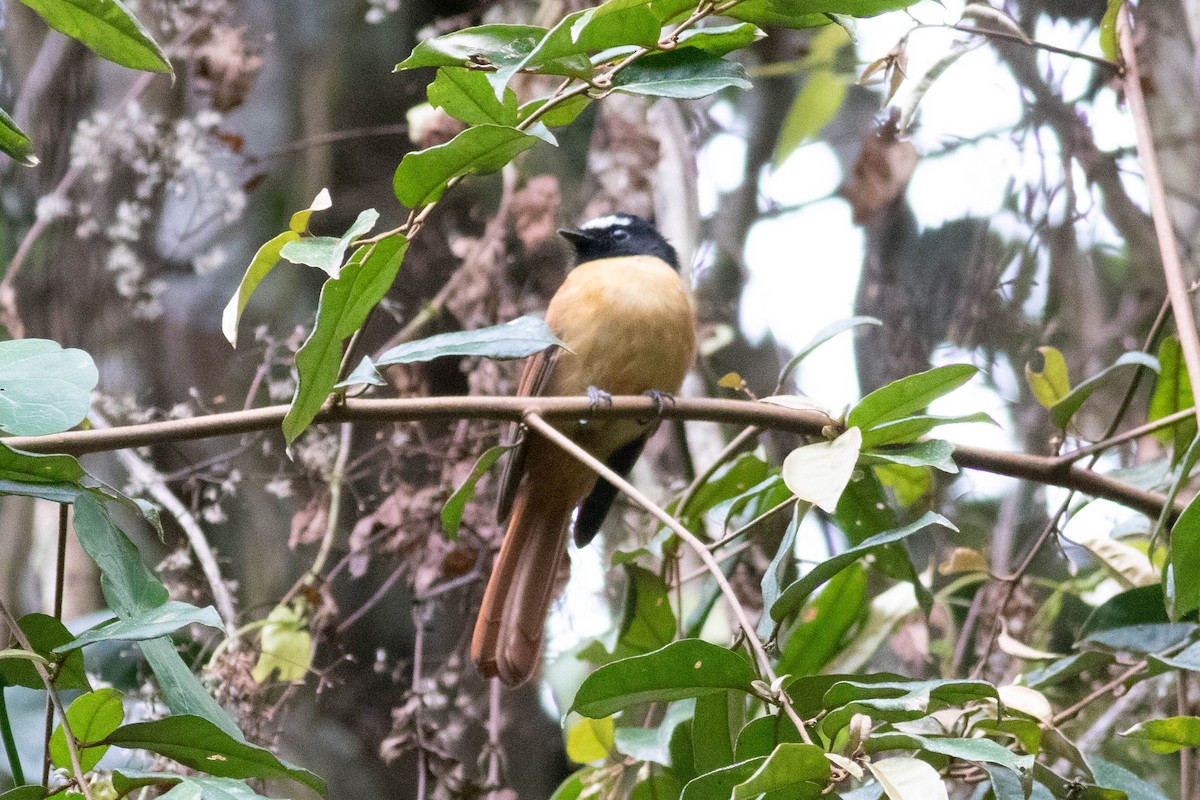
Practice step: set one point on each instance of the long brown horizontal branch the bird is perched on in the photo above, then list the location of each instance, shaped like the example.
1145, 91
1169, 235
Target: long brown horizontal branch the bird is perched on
1042, 470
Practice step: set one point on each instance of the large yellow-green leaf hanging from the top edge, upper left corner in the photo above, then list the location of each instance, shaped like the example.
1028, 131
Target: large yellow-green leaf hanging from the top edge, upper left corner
106, 28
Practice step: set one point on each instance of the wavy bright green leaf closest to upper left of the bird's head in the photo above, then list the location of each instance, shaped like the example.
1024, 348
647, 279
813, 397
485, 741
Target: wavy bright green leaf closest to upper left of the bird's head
423, 175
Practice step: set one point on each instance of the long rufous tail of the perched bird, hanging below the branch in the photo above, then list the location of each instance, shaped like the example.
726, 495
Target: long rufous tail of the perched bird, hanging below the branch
507, 643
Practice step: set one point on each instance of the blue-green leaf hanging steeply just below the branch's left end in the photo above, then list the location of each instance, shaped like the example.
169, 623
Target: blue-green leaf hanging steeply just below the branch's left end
129, 586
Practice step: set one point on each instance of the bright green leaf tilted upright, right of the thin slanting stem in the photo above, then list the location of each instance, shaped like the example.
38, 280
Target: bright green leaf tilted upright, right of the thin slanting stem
823, 627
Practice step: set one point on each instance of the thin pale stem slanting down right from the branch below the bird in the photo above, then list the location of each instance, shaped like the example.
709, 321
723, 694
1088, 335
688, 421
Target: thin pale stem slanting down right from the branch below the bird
766, 670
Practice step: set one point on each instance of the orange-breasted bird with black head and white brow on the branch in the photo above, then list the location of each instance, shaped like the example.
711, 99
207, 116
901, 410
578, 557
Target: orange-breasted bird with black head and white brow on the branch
628, 326
